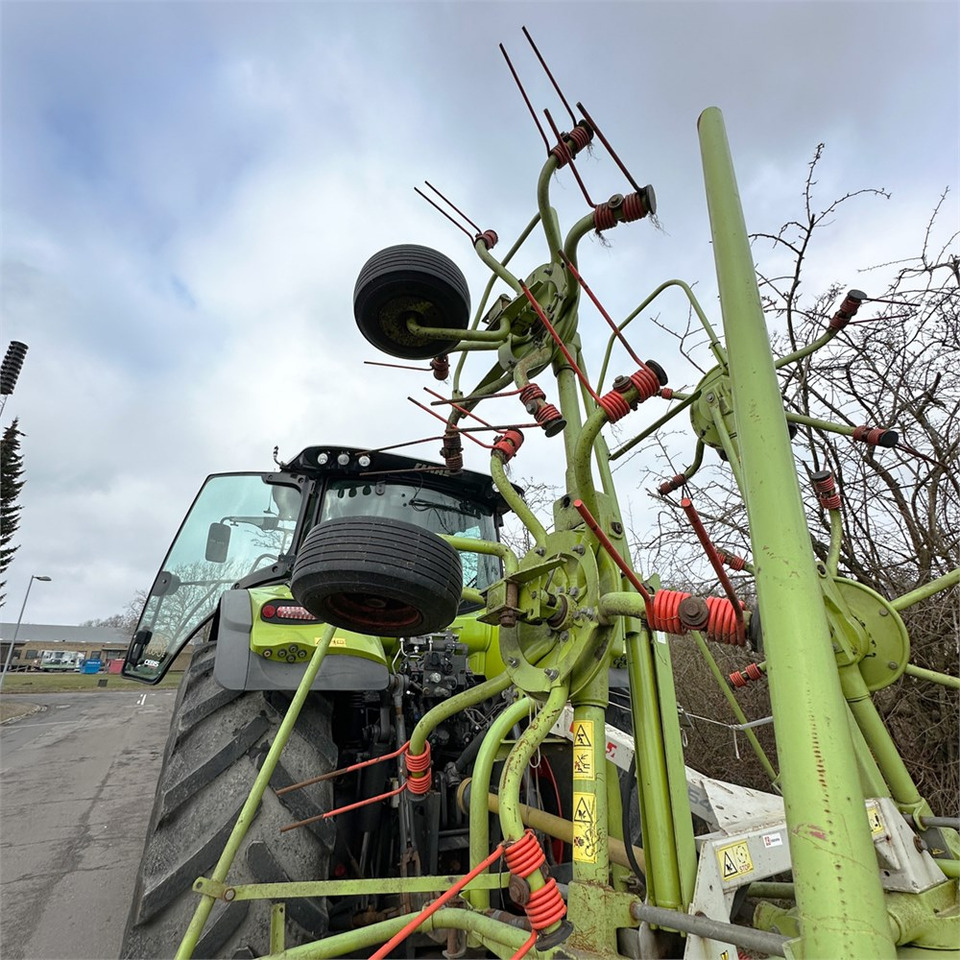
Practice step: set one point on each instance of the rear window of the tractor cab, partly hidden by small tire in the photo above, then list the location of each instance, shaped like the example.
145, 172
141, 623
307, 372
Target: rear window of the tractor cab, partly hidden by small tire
438, 512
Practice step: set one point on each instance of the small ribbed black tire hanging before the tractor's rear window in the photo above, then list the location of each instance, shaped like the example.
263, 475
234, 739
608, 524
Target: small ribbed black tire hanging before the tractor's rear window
378, 576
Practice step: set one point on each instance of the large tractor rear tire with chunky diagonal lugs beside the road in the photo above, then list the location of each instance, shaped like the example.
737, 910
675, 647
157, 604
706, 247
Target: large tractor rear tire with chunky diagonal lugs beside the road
218, 741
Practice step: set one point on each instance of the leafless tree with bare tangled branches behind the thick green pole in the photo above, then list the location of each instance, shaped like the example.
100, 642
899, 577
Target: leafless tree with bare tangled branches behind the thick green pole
895, 366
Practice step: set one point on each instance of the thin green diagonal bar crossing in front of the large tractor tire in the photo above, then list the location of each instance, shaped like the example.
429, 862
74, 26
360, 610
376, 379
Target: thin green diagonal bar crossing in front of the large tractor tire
249, 811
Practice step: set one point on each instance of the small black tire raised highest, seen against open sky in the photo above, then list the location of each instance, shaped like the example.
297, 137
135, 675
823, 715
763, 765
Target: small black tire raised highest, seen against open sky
410, 282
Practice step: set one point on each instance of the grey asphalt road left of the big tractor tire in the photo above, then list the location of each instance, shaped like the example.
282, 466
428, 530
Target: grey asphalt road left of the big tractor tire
76, 788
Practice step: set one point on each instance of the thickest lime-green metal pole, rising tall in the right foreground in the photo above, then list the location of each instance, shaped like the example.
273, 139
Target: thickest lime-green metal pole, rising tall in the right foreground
835, 868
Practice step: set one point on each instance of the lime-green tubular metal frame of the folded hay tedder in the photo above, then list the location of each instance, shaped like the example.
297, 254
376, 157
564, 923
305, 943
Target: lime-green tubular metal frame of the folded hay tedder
832, 748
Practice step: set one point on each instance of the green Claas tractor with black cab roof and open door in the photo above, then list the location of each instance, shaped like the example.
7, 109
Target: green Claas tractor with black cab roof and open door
354, 537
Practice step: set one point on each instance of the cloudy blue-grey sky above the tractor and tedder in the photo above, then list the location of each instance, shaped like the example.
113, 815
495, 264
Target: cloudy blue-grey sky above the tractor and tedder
189, 190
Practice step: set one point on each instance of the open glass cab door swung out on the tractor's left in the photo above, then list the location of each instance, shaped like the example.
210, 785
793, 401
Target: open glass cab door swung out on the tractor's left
238, 524
